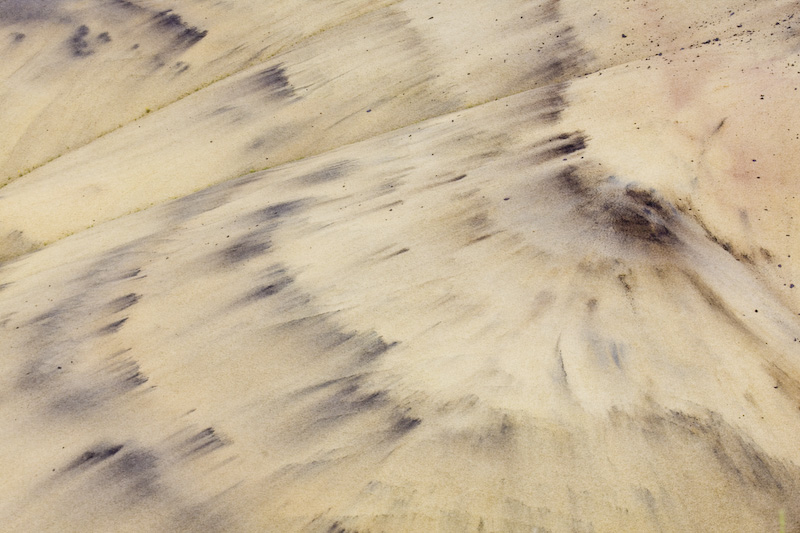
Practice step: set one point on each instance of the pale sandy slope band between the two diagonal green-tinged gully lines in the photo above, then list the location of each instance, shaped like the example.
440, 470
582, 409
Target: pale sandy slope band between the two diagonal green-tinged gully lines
377, 72
